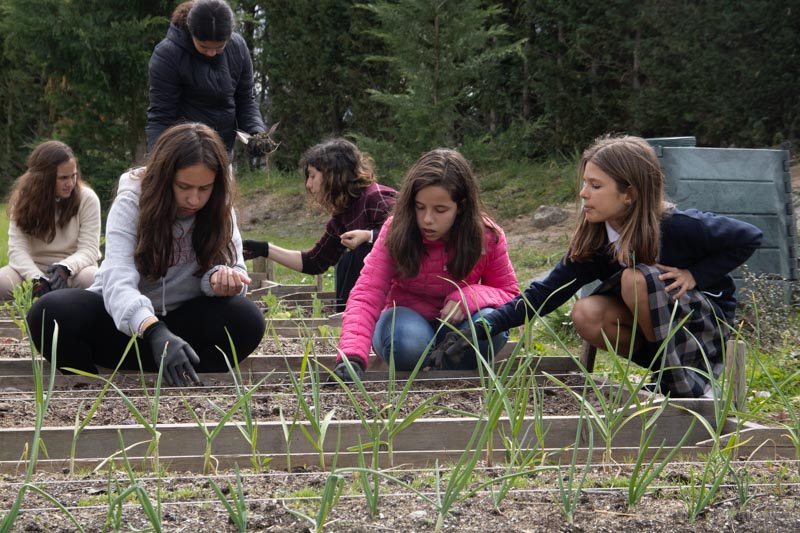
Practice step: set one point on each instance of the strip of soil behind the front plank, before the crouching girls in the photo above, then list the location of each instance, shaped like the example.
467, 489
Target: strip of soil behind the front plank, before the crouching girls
274, 396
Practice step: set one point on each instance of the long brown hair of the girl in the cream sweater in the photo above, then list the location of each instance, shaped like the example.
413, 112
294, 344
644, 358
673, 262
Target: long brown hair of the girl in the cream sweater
32, 204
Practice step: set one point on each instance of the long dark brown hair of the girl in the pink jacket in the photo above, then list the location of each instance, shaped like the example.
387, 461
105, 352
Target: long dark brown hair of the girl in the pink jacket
447, 169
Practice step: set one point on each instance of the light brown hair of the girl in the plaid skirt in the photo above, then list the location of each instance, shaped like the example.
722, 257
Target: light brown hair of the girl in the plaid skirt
633, 165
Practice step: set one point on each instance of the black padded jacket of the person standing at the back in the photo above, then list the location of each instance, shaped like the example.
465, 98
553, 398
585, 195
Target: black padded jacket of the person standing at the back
186, 86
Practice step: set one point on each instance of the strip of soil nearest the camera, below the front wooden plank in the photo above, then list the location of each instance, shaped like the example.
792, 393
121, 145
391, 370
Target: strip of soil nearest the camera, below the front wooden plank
190, 504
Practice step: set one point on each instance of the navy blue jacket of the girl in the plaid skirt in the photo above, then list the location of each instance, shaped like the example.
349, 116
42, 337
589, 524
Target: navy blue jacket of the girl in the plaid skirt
707, 245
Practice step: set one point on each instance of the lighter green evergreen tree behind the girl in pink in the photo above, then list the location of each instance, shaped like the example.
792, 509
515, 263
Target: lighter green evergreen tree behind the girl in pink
440, 54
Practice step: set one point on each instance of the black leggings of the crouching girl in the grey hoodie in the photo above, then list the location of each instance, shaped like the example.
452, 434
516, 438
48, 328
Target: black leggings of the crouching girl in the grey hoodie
88, 338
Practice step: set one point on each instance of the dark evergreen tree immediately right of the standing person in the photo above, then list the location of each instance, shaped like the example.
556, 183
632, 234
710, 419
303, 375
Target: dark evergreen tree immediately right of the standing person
311, 52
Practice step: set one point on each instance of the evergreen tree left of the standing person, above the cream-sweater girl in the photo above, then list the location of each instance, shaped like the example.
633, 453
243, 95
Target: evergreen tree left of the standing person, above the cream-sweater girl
91, 57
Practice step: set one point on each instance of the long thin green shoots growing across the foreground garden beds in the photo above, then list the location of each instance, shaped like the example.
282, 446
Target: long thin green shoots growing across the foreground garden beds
509, 391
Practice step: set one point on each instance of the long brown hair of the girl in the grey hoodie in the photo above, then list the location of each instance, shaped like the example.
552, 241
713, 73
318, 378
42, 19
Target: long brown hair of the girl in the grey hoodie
179, 147
